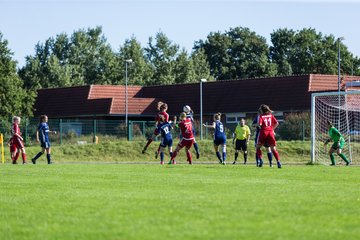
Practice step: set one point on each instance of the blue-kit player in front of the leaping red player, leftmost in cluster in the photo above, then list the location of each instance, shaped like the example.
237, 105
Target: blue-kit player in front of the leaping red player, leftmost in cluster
166, 138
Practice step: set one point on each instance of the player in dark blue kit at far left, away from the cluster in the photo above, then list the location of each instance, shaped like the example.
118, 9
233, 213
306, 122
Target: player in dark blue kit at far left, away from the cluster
42, 136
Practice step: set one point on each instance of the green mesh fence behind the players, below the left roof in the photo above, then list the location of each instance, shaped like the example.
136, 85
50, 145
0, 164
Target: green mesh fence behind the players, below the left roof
81, 131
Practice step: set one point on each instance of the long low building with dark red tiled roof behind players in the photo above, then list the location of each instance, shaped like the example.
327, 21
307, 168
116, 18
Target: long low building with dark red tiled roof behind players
234, 98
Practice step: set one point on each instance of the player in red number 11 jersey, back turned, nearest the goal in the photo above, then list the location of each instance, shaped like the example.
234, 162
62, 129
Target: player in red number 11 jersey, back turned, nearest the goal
267, 123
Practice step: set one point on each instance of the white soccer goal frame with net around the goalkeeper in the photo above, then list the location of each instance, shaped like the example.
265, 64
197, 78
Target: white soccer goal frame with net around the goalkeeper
343, 110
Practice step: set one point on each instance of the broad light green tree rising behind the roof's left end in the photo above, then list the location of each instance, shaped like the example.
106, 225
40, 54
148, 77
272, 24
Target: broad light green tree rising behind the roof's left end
84, 58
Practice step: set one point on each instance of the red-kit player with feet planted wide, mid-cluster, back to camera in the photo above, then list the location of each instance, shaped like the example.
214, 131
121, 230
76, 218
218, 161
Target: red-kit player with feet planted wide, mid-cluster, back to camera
187, 140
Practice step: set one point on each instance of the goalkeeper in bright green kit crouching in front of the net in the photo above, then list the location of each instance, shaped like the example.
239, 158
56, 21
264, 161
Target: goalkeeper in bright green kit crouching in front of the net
338, 144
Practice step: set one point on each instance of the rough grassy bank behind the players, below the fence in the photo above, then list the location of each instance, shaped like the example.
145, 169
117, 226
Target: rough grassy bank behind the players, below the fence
119, 151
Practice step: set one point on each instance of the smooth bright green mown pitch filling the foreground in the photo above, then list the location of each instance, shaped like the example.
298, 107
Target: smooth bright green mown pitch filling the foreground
205, 201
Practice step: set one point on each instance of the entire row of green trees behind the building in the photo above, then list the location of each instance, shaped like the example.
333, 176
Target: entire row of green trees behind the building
85, 57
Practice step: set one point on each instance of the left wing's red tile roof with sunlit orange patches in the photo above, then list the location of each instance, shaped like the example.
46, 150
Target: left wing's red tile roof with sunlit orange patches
92, 100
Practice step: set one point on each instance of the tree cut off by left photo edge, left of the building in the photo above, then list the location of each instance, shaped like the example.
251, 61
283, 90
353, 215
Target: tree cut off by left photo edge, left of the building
14, 99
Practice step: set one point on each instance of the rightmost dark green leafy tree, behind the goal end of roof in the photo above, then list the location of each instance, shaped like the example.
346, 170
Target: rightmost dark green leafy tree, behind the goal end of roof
307, 51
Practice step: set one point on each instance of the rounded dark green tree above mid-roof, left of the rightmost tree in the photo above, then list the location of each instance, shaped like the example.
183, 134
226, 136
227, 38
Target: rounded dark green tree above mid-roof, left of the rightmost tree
238, 53
